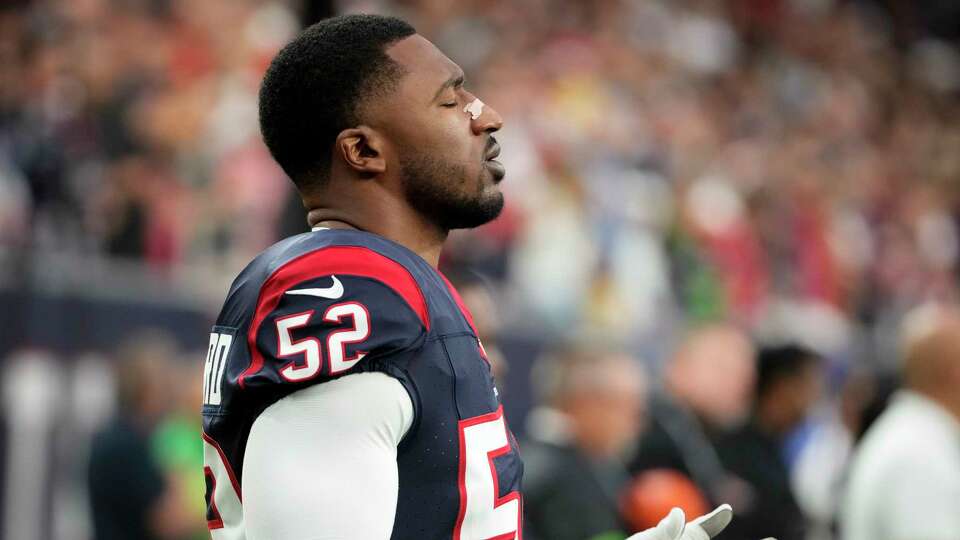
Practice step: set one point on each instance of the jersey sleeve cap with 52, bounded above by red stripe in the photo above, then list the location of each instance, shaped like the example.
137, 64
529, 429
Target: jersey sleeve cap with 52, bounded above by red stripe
321, 314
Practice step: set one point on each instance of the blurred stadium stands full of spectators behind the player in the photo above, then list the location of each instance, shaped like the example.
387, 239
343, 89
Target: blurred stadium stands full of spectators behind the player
788, 167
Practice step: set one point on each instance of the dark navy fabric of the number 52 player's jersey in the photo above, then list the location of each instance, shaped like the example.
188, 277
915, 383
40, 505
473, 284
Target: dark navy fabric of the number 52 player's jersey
433, 352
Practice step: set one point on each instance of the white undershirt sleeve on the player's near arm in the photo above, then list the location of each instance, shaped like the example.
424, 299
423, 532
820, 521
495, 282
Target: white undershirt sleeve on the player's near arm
321, 464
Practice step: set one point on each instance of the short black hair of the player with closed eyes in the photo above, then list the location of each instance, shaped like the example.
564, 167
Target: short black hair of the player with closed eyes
315, 85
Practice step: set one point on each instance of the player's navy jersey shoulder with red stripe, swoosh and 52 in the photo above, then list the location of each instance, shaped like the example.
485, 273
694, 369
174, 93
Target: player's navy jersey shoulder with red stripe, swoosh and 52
320, 305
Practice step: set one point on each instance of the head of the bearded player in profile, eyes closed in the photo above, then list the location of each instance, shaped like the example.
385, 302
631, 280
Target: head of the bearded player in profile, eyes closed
363, 101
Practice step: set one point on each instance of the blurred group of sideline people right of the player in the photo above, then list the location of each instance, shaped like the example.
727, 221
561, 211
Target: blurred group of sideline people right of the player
608, 453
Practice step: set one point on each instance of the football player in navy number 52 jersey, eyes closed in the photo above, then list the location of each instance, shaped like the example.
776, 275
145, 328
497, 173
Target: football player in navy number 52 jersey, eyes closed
346, 394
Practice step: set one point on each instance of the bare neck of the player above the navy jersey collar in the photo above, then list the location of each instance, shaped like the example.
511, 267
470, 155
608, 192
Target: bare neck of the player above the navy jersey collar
407, 229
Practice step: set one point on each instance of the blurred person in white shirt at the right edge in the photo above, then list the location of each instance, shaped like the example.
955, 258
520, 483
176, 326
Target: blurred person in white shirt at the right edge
905, 476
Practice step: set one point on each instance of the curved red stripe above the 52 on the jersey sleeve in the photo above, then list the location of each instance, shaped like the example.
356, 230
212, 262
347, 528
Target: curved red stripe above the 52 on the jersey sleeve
337, 260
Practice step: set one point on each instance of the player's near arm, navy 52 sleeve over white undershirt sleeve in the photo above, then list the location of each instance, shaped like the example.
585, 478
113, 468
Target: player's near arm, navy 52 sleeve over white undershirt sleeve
332, 328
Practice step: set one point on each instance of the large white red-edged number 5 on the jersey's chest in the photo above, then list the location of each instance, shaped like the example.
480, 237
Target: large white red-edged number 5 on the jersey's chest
483, 514
